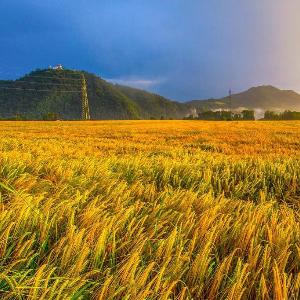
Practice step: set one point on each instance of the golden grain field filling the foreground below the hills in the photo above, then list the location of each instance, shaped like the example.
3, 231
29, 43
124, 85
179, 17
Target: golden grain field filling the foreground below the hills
150, 210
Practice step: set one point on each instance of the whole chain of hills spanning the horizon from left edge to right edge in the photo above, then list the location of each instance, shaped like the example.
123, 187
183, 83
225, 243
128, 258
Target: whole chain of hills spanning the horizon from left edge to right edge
58, 92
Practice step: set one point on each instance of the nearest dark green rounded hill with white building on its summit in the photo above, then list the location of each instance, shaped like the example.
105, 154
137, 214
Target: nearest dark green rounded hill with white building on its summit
59, 92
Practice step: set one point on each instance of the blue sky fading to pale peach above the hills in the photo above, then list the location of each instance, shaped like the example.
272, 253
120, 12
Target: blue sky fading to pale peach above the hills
182, 49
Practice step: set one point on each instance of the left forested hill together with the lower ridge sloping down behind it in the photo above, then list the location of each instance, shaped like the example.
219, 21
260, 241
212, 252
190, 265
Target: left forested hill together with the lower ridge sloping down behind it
58, 92
